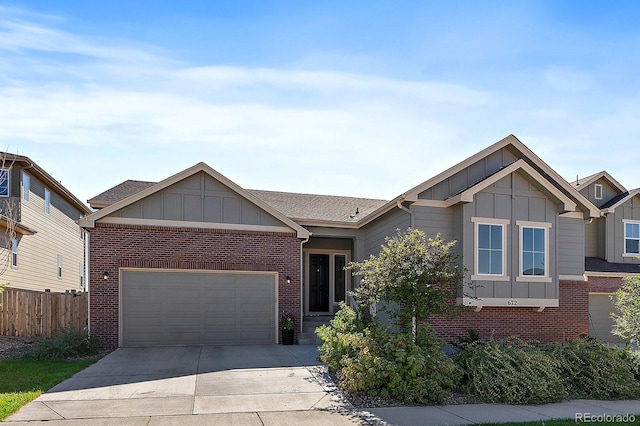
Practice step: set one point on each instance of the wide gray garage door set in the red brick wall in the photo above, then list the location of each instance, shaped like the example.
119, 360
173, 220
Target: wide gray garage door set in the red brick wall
169, 308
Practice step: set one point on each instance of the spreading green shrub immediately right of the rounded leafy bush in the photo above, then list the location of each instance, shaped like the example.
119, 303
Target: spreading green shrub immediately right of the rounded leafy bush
510, 371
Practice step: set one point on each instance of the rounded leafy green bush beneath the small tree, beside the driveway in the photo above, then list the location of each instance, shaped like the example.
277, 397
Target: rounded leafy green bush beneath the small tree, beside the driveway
371, 359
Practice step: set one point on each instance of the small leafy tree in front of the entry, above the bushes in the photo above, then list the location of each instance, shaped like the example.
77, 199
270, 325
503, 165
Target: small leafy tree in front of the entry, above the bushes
416, 275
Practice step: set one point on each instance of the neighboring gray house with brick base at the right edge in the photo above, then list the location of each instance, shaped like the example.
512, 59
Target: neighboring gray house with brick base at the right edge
612, 246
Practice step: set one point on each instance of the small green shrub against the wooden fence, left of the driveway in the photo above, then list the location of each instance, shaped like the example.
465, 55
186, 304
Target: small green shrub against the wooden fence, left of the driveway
68, 343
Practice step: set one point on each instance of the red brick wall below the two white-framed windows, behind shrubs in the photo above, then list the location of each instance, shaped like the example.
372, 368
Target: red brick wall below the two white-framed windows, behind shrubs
568, 321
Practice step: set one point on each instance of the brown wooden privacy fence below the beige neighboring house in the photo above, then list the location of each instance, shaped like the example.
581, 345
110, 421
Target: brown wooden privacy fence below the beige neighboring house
29, 313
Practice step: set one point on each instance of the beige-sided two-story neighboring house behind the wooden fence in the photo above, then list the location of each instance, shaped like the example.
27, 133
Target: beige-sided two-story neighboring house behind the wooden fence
42, 246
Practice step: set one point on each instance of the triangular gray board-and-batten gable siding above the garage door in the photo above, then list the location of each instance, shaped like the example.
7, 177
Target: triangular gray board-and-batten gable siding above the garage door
199, 198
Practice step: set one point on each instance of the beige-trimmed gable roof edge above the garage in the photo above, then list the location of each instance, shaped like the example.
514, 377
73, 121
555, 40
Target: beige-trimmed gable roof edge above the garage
89, 221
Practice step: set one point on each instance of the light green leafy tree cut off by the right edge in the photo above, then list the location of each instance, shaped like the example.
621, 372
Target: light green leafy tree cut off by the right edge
627, 302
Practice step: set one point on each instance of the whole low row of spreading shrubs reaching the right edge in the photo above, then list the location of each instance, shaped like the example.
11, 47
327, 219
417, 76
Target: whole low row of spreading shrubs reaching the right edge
514, 372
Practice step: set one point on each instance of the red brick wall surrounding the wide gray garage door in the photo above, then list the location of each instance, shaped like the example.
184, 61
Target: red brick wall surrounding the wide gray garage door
116, 246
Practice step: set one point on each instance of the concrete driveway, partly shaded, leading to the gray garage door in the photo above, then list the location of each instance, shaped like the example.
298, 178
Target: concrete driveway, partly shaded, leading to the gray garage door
245, 385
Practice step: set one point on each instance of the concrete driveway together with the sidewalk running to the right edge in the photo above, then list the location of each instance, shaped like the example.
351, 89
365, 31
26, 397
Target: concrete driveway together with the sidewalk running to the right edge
252, 385
